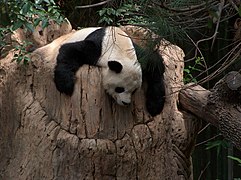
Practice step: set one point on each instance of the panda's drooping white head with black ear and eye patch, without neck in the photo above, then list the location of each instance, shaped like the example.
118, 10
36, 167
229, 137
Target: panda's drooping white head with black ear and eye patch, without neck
121, 80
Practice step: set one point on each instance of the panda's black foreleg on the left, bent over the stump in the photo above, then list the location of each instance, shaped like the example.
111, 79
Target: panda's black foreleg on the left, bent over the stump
73, 55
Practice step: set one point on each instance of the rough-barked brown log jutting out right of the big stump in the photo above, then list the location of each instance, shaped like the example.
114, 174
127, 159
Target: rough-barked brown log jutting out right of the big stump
221, 107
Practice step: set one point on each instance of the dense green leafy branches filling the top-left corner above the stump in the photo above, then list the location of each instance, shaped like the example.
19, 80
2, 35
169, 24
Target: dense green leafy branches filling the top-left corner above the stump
27, 14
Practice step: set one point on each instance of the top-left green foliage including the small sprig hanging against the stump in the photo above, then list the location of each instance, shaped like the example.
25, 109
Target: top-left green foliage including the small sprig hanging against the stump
25, 14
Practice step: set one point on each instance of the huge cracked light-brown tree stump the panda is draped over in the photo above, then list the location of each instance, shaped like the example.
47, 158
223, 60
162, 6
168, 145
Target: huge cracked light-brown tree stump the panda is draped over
47, 135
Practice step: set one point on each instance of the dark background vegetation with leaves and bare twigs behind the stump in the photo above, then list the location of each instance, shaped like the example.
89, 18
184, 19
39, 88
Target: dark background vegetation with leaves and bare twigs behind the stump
209, 32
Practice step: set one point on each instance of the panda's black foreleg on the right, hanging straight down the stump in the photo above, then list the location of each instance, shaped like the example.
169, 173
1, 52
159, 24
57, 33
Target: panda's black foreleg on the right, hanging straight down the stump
153, 69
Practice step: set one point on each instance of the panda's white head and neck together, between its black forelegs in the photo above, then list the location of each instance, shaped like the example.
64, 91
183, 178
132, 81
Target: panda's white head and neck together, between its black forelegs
122, 74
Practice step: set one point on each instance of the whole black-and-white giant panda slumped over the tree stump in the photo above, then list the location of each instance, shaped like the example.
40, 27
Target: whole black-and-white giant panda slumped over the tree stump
112, 50
